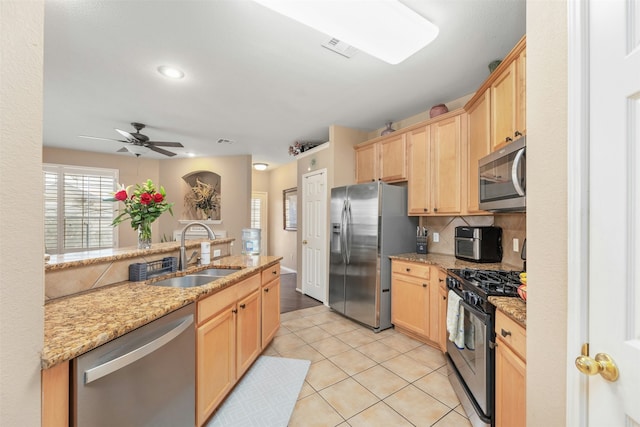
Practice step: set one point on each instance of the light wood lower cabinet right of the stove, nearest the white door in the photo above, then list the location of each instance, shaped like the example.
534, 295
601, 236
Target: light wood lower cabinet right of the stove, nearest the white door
510, 372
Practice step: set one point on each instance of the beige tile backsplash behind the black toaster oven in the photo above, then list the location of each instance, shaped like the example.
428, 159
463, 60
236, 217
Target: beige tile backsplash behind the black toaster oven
514, 226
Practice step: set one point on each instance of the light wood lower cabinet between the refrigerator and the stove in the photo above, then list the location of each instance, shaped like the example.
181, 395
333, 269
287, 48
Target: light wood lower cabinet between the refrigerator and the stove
416, 301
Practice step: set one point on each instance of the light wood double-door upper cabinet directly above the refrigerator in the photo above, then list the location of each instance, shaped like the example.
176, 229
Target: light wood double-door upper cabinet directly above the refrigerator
384, 160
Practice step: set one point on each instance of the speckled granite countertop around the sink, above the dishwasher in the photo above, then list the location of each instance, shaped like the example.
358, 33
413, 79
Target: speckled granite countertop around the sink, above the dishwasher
76, 324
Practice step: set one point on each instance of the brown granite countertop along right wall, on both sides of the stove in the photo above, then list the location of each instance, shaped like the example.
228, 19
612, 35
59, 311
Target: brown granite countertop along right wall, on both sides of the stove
513, 307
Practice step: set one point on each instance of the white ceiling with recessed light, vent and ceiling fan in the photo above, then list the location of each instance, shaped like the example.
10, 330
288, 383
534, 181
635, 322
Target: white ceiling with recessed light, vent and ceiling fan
252, 76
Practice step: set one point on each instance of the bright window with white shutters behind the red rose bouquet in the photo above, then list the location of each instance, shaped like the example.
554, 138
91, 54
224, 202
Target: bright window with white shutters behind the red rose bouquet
76, 217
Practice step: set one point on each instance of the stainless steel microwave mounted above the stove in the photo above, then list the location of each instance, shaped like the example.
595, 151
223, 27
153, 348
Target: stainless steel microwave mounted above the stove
503, 178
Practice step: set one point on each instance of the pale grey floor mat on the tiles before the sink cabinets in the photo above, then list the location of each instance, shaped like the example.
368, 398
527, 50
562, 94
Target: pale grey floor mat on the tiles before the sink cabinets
266, 395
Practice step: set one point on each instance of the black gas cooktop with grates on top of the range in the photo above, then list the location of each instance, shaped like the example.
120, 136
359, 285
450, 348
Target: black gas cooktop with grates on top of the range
475, 286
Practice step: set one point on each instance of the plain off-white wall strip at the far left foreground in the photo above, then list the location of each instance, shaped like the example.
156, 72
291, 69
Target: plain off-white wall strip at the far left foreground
21, 211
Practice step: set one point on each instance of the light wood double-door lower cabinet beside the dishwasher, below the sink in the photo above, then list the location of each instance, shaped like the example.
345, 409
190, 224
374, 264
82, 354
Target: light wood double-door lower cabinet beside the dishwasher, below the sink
227, 342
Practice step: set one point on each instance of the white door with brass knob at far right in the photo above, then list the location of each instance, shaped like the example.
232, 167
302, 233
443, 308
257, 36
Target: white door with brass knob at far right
614, 209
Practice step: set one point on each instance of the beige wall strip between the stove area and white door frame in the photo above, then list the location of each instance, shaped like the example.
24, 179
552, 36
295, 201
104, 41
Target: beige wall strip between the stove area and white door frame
547, 212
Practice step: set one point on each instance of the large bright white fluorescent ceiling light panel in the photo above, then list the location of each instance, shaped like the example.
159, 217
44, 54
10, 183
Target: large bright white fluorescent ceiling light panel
386, 29
